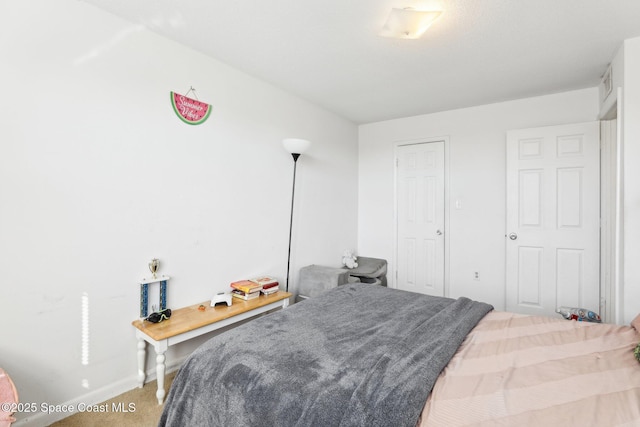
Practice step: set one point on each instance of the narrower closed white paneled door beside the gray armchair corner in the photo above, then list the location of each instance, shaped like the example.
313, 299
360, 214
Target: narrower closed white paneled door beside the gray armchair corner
420, 217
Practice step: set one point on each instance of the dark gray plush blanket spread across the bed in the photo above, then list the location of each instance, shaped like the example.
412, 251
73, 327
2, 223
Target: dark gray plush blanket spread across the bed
359, 355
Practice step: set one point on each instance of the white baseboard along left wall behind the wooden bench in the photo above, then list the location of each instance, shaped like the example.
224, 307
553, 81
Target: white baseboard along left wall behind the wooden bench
95, 397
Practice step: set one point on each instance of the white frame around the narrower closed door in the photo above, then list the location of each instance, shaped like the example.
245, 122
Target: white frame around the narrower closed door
396, 144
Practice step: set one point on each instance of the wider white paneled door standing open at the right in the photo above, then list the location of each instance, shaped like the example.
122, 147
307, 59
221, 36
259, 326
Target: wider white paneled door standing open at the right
553, 218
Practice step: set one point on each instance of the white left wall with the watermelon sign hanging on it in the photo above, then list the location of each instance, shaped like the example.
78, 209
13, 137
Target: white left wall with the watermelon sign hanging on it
98, 176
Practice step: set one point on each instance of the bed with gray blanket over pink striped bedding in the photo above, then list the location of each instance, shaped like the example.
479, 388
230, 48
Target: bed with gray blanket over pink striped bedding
362, 355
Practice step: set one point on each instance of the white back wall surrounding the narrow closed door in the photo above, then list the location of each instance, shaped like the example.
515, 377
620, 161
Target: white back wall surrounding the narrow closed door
476, 162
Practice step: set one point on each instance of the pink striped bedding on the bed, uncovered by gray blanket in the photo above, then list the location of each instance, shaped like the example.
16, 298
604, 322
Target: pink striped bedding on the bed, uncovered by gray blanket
517, 370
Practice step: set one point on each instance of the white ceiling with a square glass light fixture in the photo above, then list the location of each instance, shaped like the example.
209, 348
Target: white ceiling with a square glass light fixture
329, 51
